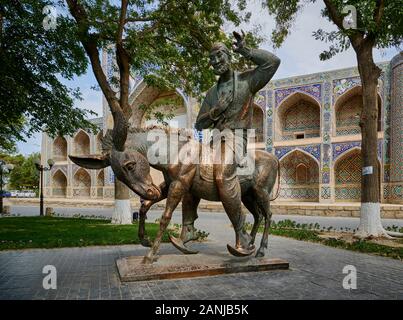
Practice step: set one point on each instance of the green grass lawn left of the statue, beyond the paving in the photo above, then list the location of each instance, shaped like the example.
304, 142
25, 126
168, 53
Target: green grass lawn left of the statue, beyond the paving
56, 232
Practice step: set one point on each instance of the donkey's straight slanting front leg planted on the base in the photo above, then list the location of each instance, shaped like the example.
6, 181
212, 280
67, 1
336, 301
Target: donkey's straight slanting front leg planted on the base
175, 193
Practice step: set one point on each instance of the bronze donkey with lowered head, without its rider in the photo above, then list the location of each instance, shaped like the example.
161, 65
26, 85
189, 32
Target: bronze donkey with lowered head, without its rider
186, 182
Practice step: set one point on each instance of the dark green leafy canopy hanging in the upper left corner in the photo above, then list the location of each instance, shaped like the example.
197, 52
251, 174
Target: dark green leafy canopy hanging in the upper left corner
32, 63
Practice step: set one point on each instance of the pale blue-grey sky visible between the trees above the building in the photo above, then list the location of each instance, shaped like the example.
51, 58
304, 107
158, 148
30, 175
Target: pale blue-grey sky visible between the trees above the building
299, 55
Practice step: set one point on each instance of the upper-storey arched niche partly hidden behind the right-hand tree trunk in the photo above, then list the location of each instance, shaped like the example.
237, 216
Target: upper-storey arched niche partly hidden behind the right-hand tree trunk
348, 108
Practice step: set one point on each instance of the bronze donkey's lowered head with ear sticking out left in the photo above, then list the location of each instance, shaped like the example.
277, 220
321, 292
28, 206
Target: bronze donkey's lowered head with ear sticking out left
132, 168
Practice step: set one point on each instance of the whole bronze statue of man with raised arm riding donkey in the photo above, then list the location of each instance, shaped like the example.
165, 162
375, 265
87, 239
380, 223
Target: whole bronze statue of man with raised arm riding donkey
228, 108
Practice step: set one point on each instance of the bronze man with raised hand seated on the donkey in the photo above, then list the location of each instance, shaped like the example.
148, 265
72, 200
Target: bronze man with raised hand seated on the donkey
228, 105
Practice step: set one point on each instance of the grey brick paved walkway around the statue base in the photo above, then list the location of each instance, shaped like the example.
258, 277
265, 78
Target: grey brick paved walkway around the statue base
316, 272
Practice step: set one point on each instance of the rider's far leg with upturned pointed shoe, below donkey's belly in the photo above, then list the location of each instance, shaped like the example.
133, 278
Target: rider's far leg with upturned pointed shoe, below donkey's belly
189, 215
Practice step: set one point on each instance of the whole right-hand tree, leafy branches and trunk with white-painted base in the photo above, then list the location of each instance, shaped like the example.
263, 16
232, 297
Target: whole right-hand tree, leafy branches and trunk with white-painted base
379, 24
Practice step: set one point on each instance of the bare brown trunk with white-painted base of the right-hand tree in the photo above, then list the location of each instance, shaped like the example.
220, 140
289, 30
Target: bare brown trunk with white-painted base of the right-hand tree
370, 219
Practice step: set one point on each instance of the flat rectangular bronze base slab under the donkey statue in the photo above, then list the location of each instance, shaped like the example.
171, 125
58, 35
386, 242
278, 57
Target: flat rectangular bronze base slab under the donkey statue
188, 266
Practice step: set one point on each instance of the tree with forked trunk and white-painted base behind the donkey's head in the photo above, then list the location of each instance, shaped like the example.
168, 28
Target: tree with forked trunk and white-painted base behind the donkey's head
165, 42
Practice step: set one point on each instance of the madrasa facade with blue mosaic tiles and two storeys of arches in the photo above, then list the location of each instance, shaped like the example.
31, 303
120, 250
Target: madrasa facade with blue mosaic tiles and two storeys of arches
310, 122
